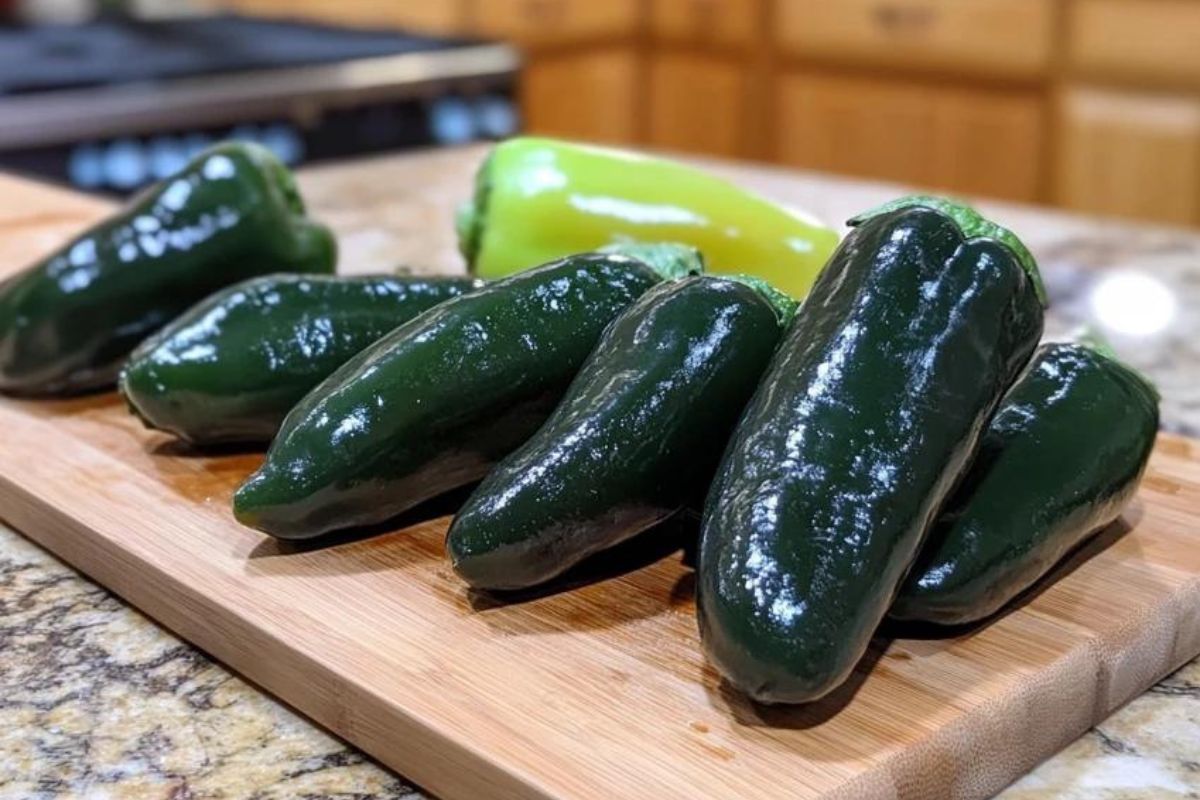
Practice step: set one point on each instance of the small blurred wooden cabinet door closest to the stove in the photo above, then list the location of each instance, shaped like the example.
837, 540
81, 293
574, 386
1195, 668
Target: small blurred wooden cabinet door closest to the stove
585, 97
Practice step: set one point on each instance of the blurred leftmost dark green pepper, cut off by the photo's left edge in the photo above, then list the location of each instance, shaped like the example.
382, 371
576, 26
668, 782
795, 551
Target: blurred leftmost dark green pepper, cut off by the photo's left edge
68, 322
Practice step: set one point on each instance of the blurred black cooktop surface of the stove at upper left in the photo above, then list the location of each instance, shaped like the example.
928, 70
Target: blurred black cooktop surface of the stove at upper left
113, 52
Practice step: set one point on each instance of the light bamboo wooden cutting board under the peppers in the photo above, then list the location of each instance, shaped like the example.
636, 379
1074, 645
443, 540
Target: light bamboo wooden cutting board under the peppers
601, 693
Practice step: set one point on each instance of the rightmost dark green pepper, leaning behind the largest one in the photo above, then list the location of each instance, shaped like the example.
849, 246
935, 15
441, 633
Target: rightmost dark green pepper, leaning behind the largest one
1061, 459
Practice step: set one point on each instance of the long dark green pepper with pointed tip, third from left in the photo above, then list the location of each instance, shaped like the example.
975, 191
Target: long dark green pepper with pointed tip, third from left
435, 404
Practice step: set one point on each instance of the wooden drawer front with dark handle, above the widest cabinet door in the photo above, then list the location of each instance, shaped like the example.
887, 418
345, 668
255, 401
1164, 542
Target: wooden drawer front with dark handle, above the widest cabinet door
1010, 38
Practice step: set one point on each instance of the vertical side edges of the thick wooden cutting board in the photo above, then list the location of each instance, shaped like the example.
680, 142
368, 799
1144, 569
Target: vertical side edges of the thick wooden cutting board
1163, 639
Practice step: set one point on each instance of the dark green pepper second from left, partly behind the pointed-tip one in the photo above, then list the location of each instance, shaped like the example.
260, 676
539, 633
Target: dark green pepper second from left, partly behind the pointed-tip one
231, 368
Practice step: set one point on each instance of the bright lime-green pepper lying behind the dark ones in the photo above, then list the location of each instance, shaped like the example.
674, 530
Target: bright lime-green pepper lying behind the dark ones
539, 200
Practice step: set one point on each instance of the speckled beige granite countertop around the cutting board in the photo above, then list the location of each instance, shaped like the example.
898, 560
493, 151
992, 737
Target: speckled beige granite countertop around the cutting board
100, 702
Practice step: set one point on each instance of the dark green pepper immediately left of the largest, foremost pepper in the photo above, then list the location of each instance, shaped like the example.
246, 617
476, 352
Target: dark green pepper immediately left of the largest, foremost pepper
641, 426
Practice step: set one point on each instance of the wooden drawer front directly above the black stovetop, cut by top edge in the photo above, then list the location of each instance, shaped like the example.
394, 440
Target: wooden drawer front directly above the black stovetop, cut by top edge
441, 17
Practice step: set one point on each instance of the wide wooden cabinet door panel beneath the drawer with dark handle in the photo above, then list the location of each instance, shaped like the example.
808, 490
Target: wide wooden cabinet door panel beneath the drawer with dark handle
974, 142
